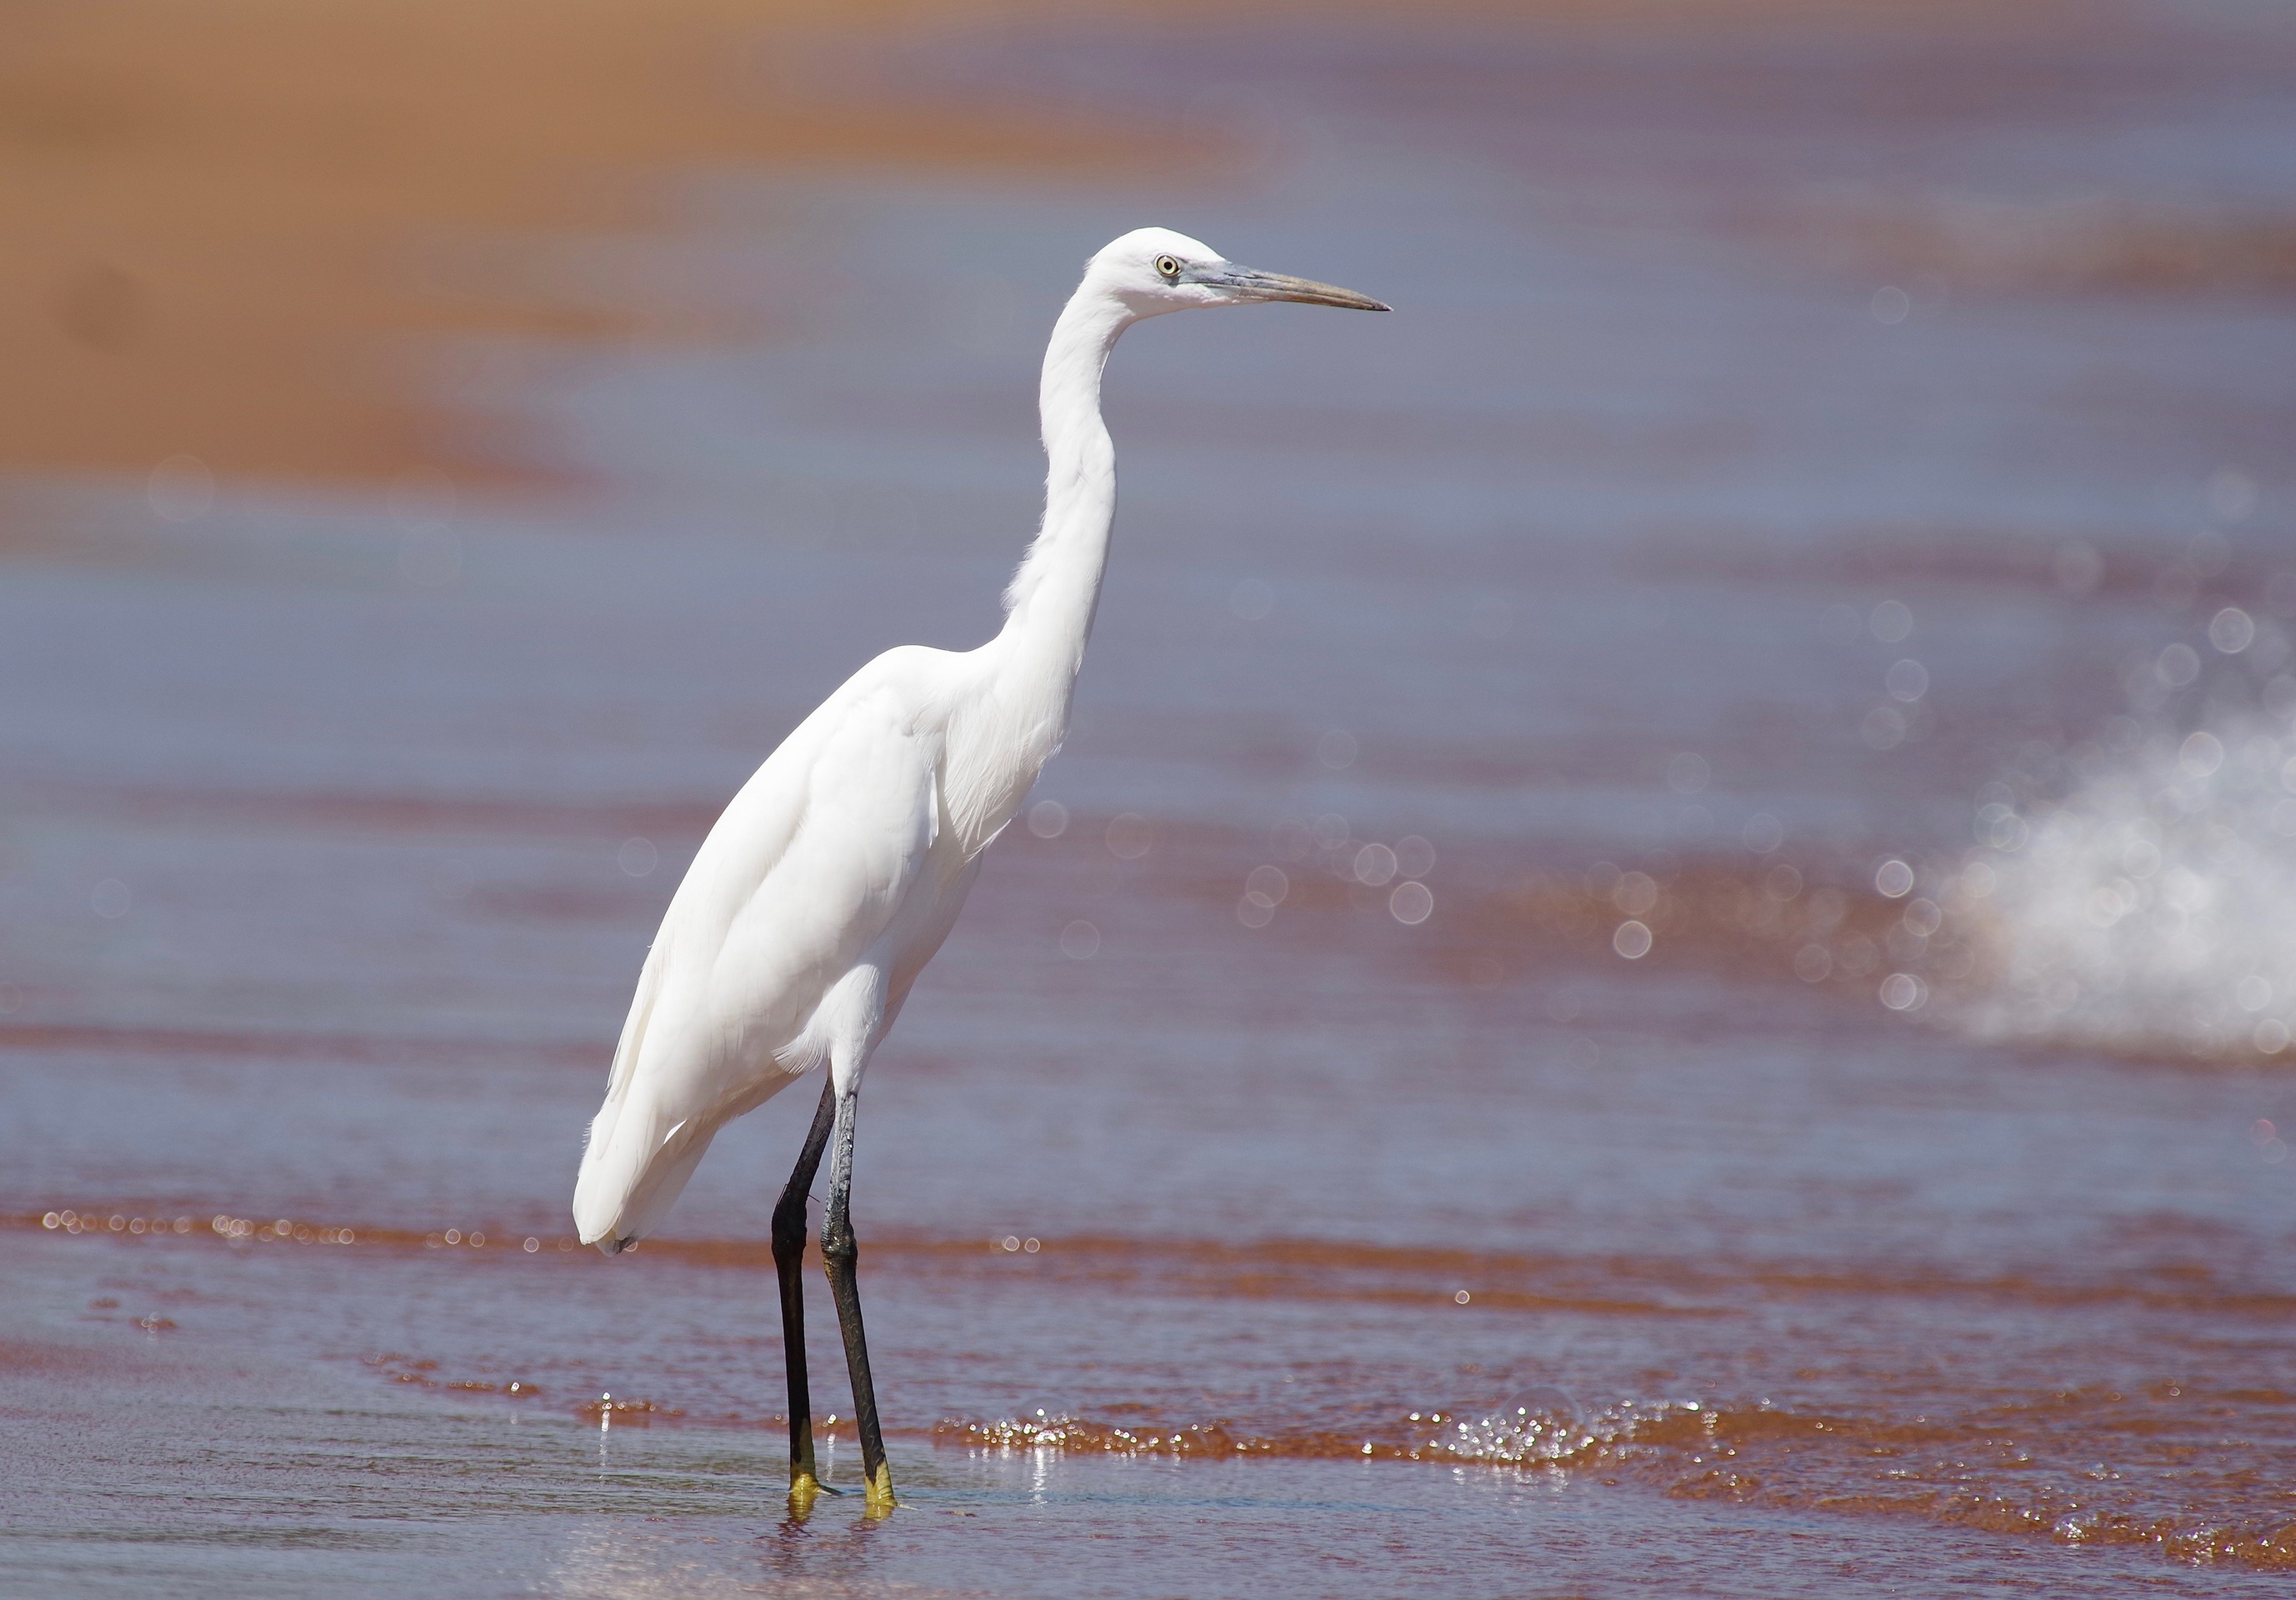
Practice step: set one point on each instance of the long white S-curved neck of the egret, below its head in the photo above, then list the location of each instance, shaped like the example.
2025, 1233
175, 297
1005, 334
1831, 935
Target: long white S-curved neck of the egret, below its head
1057, 589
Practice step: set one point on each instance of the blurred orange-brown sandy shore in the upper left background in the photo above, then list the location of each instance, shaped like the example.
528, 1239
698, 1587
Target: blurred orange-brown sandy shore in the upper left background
219, 215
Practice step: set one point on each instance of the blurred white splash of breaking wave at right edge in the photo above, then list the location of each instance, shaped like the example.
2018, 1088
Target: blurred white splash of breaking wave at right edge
2152, 903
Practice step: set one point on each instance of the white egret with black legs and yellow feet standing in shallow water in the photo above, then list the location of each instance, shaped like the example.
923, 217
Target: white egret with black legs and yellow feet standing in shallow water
844, 862
